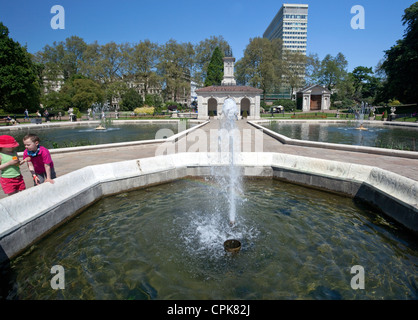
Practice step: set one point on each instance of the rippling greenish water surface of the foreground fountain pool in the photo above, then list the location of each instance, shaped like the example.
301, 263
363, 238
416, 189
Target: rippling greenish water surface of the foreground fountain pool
165, 242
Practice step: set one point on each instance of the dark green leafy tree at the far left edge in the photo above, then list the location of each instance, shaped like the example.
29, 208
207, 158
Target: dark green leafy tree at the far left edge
19, 81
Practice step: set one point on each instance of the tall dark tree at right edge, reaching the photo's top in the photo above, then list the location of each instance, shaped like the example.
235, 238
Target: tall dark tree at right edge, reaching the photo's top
401, 62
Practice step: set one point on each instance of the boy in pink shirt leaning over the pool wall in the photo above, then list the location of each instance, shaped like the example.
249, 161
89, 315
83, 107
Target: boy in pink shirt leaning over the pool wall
39, 160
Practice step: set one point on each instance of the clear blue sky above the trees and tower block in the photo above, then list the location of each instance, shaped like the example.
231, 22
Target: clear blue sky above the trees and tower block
329, 29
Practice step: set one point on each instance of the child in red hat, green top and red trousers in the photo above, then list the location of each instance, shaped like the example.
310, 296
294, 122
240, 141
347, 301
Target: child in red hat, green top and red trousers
11, 179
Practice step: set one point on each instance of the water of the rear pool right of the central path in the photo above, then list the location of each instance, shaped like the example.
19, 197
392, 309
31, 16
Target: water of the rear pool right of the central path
375, 136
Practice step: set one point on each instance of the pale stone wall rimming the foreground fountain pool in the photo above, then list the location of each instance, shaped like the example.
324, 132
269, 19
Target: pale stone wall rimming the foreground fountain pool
29, 215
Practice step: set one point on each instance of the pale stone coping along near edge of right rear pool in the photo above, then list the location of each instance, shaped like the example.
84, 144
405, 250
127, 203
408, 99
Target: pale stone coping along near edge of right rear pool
335, 146
